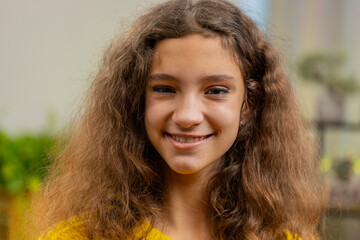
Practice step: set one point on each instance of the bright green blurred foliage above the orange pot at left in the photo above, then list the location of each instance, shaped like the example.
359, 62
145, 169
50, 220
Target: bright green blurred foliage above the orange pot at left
23, 162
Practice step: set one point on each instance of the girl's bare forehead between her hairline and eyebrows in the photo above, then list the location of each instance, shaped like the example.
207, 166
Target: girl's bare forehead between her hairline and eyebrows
193, 54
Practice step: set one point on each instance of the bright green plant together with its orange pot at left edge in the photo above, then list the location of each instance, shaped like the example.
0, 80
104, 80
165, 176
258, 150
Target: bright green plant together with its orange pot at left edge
23, 164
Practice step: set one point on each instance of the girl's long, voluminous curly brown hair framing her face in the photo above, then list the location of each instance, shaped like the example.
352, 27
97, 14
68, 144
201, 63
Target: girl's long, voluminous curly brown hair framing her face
268, 181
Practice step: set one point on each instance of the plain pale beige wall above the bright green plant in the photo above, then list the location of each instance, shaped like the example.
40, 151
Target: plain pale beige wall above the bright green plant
48, 52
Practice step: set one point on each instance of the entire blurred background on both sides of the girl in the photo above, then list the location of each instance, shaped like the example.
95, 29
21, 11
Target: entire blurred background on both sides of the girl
49, 52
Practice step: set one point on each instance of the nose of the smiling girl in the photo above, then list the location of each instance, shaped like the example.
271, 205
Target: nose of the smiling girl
188, 112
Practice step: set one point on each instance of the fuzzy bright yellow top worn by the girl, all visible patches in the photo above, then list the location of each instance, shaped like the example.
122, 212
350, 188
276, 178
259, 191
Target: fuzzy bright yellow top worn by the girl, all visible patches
73, 228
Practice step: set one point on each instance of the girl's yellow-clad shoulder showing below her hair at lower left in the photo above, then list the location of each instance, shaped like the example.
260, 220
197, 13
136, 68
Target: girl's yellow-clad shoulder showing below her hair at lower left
72, 228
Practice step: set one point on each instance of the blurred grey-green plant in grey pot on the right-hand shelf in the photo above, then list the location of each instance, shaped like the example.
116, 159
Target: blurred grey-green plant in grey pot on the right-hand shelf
327, 69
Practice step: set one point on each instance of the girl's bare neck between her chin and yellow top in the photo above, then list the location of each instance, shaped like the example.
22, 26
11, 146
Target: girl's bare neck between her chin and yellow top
185, 212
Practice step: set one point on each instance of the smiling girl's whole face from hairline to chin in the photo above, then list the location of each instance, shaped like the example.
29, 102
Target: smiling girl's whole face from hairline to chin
193, 101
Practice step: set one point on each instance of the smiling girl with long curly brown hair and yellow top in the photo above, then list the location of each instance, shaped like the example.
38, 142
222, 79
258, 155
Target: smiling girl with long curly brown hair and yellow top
190, 131
